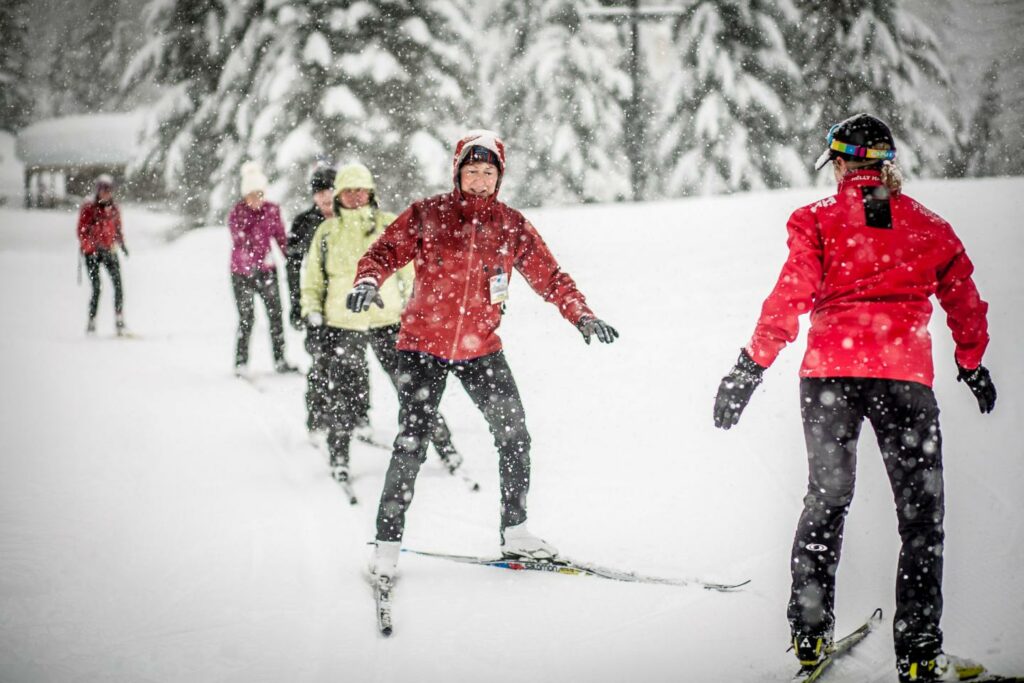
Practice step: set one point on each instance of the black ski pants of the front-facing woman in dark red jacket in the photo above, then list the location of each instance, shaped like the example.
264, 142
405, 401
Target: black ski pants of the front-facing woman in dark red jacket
490, 385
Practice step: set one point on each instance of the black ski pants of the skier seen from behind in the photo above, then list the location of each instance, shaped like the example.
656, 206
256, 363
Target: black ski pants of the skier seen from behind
906, 419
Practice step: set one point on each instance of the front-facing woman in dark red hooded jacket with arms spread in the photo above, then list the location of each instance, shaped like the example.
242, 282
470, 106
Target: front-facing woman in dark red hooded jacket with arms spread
465, 245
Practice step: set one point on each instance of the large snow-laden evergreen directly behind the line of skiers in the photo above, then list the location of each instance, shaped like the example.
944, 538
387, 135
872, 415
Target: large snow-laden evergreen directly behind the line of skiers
380, 83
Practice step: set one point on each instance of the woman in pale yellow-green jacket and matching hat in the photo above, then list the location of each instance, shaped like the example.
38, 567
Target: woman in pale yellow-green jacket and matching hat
337, 337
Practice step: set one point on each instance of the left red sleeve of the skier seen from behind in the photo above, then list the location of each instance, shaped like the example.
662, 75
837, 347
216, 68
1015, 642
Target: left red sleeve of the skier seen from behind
795, 291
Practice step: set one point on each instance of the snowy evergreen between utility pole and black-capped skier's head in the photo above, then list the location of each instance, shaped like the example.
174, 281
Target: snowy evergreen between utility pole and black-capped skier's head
727, 121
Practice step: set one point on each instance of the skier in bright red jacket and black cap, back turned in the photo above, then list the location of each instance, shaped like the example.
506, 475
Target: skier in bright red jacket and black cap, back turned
864, 264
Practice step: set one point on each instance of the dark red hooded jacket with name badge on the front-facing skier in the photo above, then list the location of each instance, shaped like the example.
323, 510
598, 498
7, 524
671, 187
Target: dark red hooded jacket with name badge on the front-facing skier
458, 244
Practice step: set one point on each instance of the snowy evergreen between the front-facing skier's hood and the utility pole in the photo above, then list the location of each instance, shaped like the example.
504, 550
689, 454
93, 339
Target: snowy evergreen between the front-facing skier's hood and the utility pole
560, 93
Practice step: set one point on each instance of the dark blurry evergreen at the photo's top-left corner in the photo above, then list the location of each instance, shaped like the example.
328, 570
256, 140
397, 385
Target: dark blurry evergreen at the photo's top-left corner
16, 99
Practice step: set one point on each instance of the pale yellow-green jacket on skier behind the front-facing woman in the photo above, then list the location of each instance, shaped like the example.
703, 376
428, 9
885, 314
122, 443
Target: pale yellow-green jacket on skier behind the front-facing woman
343, 241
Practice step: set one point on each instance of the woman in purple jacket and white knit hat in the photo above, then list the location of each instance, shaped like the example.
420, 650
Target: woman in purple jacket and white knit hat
254, 223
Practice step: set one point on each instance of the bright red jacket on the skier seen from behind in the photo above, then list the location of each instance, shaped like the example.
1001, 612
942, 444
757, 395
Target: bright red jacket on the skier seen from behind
865, 266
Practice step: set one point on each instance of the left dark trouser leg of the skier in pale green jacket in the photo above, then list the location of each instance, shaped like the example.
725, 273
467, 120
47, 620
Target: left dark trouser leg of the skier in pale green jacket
345, 363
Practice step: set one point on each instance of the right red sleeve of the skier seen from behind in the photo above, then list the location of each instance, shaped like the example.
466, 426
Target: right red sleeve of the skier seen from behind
966, 312
